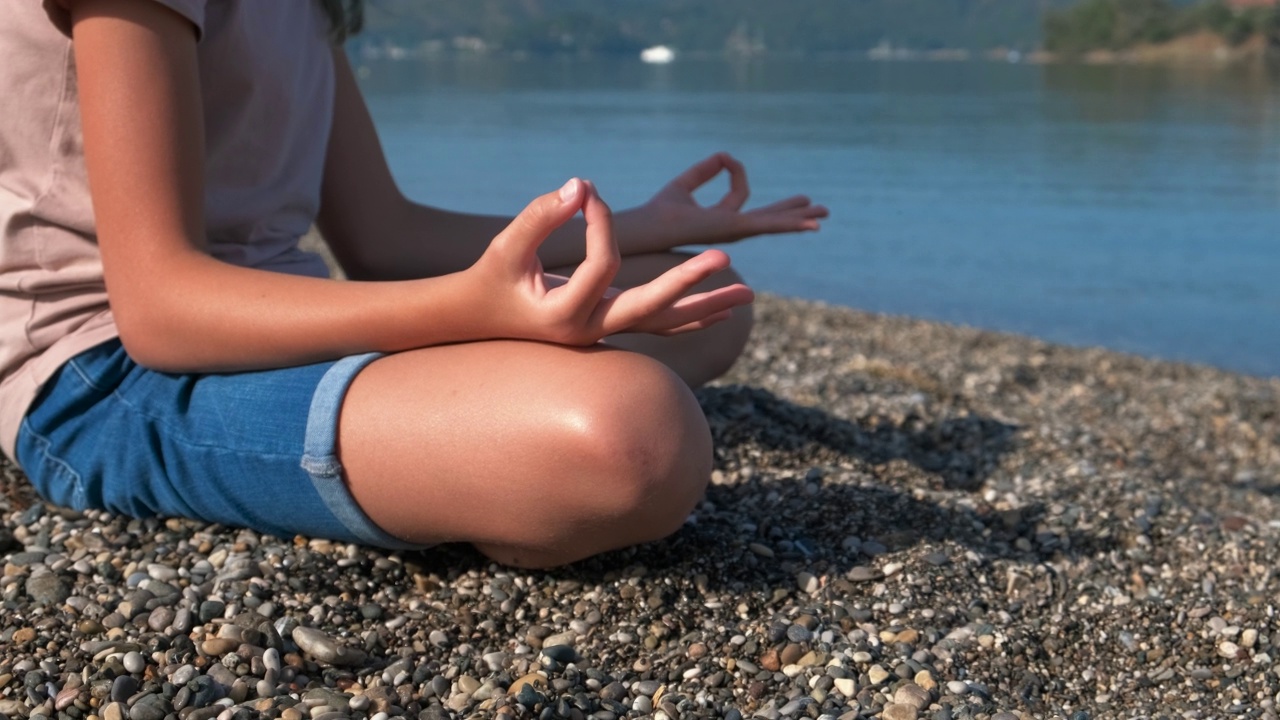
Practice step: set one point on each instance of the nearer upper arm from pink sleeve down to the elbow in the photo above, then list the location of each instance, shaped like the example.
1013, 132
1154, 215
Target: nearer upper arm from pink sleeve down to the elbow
144, 142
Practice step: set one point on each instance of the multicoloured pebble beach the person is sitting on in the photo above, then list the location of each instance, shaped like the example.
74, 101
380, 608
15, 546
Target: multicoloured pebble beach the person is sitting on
907, 521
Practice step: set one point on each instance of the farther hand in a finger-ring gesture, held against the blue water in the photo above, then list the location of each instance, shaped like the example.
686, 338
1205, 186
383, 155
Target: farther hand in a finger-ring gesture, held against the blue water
674, 217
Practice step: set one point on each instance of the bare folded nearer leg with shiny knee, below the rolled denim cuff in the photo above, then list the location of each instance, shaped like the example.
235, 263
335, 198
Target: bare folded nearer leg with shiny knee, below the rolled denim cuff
537, 454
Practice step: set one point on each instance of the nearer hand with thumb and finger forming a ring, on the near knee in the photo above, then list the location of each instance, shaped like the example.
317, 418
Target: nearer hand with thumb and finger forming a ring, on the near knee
515, 299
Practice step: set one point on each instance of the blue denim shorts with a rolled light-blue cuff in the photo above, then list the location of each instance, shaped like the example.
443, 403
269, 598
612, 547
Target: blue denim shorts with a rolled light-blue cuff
254, 450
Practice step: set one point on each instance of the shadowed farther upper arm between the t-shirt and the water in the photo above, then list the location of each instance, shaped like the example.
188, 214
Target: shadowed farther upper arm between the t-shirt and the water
360, 203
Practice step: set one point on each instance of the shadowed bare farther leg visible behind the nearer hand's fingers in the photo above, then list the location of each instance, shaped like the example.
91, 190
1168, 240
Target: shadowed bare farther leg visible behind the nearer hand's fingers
700, 357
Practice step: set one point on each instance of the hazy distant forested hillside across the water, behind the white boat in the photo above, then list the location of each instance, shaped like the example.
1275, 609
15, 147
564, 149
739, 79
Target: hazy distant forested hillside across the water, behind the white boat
707, 26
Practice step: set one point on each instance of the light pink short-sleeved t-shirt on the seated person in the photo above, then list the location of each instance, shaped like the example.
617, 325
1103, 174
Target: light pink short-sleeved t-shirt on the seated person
267, 83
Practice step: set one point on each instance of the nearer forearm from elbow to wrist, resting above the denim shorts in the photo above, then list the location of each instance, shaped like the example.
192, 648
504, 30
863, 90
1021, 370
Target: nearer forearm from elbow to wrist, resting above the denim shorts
207, 316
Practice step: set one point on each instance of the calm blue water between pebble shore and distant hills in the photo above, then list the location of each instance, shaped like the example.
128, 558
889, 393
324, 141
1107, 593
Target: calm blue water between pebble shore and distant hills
1133, 208
